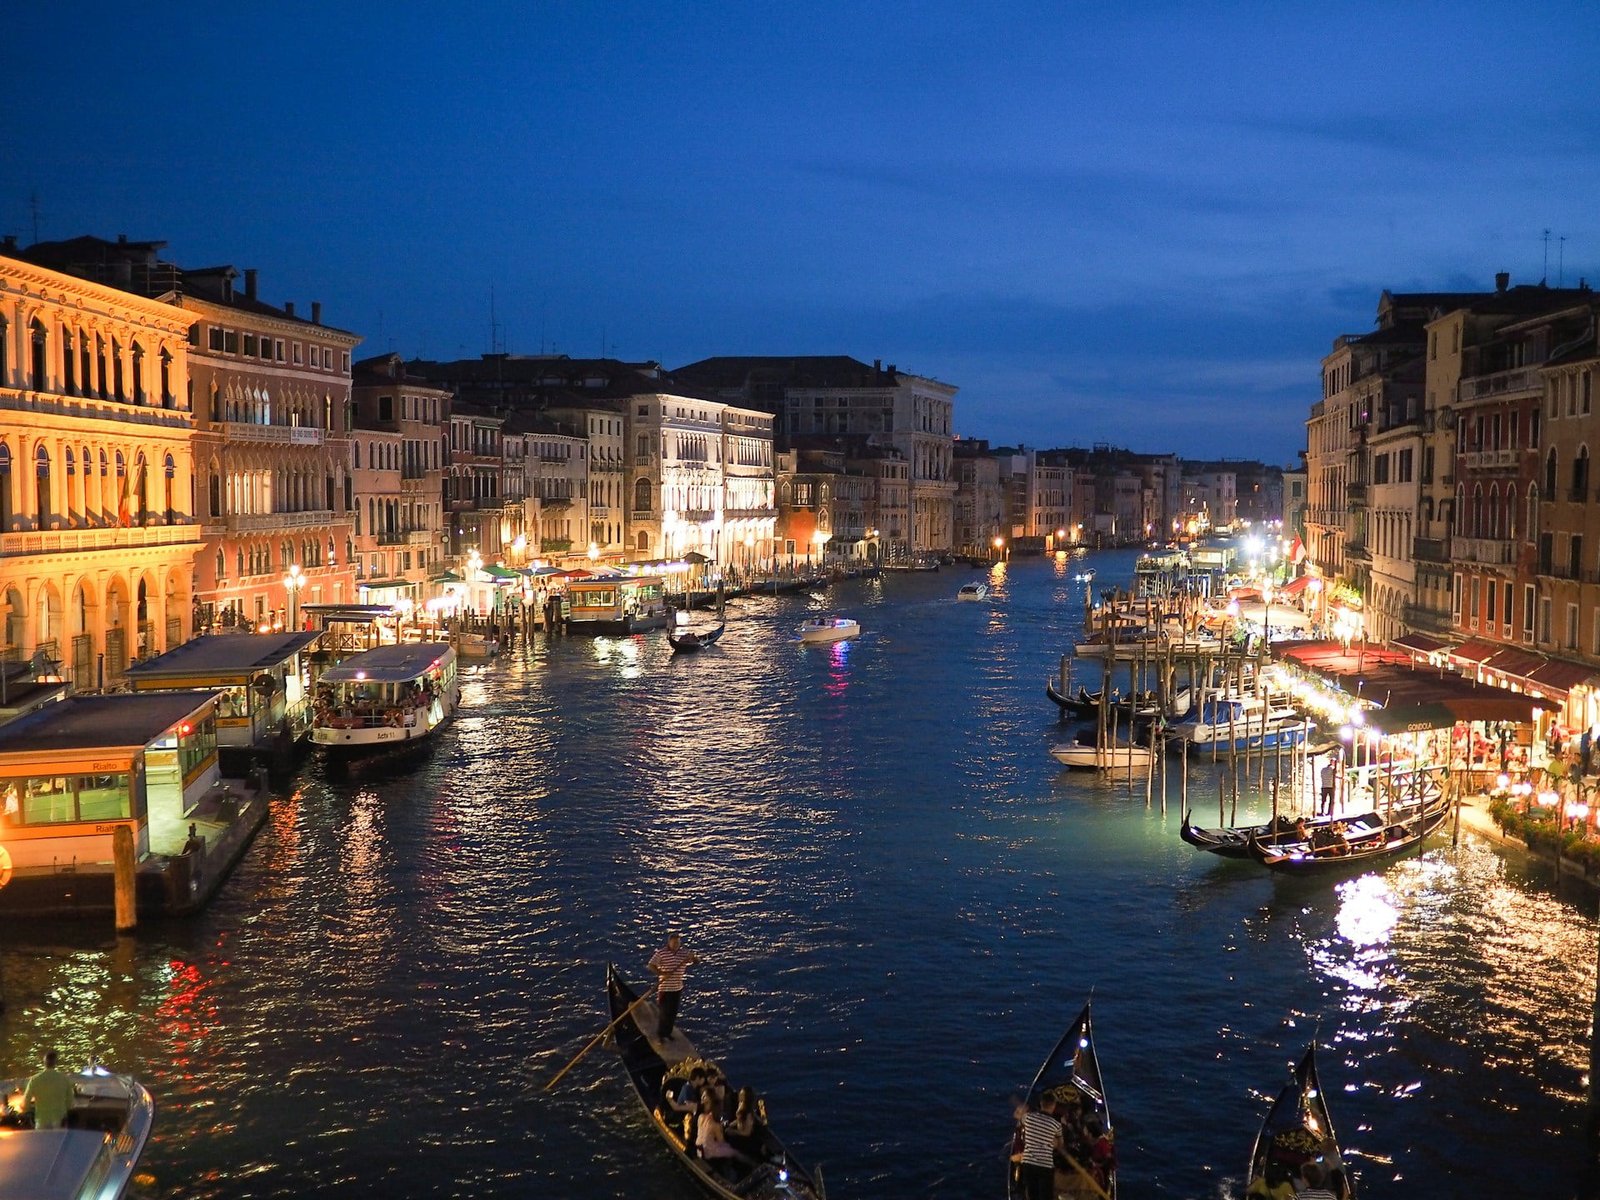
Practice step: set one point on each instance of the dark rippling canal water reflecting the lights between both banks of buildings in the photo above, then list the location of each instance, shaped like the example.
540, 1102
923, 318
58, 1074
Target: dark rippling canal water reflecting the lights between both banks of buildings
902, 903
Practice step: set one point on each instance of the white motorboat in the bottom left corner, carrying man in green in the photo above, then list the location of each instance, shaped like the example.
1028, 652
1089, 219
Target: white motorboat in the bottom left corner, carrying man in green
94, 1158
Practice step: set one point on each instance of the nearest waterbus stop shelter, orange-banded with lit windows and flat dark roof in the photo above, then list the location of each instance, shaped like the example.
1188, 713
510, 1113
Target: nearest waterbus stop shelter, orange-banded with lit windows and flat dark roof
76, 770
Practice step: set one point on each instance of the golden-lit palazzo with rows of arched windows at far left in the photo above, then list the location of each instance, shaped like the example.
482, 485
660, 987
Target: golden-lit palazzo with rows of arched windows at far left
98, 535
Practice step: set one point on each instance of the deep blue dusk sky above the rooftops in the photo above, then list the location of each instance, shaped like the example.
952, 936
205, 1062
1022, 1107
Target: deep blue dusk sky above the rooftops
1137, 223
